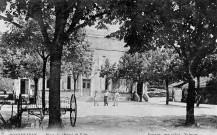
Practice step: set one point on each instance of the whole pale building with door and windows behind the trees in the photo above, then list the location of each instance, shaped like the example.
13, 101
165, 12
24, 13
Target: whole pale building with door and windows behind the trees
103, 48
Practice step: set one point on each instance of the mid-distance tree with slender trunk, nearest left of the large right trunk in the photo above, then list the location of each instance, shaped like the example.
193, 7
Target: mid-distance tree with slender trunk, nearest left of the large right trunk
164, 64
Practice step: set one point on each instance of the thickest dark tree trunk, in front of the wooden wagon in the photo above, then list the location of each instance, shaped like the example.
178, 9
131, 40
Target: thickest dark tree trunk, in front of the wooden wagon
54, 91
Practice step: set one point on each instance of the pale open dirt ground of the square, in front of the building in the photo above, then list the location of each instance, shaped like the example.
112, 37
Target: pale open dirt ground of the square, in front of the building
129, 118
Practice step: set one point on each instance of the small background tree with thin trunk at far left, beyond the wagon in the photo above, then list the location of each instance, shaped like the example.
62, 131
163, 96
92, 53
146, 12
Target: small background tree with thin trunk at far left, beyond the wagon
18, 64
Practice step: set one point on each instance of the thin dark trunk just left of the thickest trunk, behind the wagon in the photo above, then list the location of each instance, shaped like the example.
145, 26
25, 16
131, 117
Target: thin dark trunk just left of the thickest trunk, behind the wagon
43, 84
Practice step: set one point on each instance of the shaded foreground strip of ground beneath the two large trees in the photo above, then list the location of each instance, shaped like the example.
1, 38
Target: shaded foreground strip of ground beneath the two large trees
106, 124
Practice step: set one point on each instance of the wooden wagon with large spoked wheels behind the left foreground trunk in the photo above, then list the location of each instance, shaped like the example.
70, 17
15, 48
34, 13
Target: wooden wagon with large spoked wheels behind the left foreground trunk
67, 105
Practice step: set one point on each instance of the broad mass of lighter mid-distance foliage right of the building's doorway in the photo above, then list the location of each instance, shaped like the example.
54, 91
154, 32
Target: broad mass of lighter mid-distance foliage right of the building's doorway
154, 66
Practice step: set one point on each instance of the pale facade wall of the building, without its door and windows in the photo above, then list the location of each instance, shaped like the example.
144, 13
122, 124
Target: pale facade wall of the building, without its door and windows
103, 49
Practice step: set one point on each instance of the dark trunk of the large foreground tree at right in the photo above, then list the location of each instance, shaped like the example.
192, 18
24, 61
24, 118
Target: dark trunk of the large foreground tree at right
190, 102
